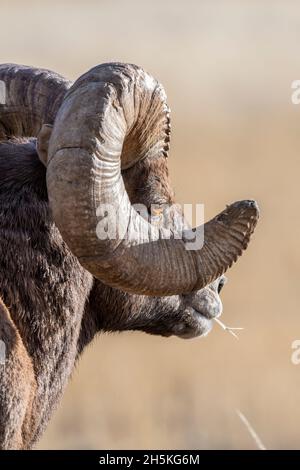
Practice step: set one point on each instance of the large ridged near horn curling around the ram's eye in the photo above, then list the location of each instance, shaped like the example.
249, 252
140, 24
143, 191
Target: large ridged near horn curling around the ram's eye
111, 117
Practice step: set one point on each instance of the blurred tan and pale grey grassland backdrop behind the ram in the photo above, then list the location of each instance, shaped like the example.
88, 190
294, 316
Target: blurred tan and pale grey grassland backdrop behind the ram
227, 68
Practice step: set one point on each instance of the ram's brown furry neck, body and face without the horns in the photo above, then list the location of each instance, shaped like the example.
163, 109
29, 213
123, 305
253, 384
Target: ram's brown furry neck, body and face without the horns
53, 307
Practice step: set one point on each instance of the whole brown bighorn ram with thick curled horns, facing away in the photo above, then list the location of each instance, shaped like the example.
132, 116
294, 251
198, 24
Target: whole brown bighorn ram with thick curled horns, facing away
66, 149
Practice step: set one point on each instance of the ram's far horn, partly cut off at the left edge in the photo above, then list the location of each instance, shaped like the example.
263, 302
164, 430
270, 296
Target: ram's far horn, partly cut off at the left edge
31, 98
